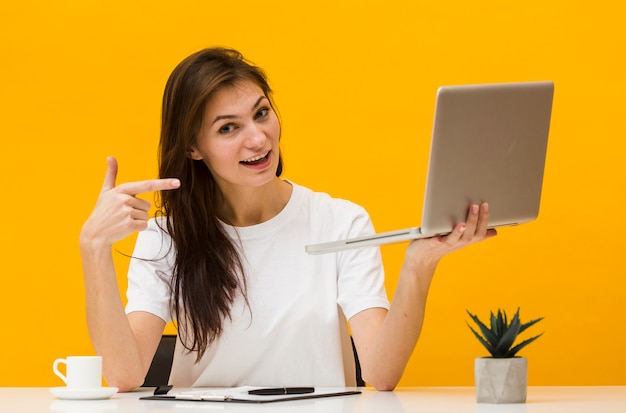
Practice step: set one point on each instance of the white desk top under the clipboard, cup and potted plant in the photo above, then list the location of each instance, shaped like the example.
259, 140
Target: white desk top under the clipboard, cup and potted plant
403, 400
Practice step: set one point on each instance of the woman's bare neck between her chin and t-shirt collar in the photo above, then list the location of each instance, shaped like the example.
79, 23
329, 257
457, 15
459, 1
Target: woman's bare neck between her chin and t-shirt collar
243, 207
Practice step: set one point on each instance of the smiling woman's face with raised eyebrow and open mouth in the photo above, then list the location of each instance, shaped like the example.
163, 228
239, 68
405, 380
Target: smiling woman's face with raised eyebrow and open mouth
239, 137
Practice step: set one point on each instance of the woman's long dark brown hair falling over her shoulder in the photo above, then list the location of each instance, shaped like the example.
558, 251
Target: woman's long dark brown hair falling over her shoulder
207, 272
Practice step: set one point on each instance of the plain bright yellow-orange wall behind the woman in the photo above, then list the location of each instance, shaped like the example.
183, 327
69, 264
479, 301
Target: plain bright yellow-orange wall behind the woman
355, 83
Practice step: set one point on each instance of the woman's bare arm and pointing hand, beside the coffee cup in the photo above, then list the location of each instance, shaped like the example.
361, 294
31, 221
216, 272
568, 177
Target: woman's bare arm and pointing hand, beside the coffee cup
126, 343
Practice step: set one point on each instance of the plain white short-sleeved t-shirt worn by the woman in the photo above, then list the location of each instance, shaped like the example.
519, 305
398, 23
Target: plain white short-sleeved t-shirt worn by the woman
293, 333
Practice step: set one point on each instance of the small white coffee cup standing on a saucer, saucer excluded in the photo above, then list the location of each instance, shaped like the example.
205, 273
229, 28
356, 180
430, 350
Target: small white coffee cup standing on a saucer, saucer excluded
81, 372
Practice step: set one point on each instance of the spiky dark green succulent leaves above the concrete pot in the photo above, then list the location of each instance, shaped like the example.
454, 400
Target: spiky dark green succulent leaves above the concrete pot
498, 339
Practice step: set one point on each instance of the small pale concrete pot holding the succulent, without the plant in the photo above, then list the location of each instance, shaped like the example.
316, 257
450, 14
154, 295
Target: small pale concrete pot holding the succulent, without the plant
501, 380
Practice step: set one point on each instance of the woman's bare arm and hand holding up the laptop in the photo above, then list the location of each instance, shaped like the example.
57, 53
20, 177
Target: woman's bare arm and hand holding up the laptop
385, 339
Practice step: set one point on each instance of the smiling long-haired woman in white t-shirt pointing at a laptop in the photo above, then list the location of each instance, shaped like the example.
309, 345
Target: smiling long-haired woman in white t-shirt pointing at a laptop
225, 255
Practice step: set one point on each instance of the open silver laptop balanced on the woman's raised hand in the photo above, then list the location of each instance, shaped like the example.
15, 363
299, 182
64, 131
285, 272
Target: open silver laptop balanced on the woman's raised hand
488, 145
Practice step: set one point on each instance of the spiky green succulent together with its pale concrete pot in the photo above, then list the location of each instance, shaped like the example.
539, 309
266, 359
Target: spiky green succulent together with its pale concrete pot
502, 377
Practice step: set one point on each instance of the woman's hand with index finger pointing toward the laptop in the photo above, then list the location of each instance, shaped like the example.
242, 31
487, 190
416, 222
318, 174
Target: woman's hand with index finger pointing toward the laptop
118, 212
